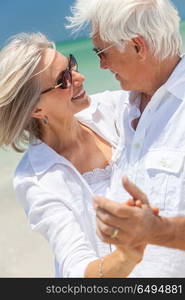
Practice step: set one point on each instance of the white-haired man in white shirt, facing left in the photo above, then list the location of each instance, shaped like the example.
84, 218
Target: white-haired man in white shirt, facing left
139, 41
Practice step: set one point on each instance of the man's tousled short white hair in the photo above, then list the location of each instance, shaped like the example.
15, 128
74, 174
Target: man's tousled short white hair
118, 21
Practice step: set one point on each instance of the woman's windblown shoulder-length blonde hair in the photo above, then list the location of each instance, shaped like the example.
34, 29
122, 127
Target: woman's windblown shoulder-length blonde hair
20, 88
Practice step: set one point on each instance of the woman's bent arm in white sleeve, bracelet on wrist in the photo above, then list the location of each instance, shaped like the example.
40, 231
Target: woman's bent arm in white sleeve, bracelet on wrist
72, 248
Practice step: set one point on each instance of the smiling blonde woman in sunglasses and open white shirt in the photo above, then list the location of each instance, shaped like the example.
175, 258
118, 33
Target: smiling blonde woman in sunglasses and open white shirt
70, 154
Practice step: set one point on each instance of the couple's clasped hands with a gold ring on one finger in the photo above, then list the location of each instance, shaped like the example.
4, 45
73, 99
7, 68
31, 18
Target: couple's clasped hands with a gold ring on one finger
127, 225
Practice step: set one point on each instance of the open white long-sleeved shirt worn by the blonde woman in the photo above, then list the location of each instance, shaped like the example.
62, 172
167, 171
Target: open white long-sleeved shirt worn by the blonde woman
58, 200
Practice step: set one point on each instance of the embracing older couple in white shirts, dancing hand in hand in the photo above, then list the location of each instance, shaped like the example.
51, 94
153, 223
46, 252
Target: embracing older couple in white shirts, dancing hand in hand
81, 146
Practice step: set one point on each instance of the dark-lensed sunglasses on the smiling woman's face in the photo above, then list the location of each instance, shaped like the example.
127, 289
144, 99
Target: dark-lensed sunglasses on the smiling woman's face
65, 78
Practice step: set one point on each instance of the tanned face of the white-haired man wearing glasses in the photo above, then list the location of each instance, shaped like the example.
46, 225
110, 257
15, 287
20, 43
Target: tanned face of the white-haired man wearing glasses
127, 66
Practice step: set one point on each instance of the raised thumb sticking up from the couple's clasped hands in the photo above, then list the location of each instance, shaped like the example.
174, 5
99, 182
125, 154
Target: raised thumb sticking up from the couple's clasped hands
134, 191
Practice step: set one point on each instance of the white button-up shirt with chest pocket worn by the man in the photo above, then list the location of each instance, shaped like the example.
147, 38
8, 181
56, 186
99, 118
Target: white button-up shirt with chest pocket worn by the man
153, 156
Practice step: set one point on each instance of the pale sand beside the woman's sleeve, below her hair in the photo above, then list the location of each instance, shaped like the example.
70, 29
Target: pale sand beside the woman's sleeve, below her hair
23, 253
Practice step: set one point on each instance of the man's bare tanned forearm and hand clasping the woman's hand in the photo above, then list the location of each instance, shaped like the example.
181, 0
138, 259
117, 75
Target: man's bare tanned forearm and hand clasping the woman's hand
137, 225
